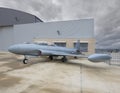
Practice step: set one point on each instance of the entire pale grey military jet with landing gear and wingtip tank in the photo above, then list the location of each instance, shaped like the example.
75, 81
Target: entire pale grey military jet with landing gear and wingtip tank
54, 51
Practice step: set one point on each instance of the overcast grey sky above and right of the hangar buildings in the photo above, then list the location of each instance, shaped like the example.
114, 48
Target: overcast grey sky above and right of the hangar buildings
106, 14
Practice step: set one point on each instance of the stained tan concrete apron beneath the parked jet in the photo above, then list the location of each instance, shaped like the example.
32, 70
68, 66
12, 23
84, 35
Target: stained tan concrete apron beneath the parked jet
43, 76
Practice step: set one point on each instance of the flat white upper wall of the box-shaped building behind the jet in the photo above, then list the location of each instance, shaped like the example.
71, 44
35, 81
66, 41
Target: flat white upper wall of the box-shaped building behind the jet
83, 28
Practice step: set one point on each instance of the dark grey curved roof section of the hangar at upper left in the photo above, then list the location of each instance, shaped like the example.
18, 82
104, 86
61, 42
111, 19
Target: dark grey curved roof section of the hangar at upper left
10, 16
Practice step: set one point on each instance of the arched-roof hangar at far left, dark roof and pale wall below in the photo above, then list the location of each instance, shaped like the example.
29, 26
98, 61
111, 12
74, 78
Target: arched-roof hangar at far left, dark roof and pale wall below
8, 19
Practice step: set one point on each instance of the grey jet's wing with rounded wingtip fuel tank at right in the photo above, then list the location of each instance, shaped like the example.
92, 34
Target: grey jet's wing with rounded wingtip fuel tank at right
93, 57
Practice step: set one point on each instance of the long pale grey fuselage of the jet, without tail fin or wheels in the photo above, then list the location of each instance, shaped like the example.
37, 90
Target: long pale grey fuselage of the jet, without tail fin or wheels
38, 50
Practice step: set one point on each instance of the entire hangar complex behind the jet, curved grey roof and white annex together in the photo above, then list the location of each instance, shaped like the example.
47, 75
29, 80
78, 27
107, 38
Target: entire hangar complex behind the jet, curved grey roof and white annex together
20, 27
